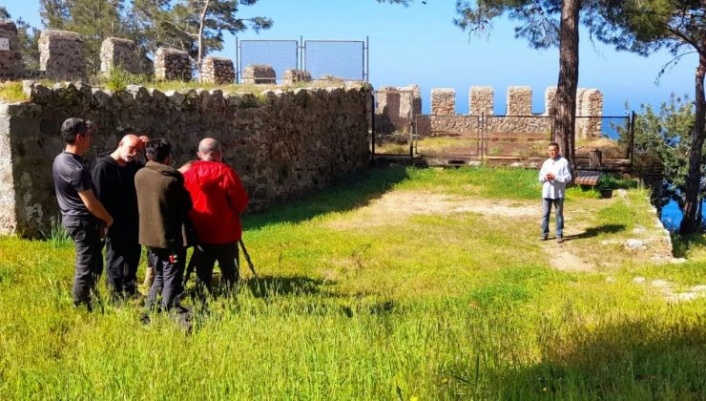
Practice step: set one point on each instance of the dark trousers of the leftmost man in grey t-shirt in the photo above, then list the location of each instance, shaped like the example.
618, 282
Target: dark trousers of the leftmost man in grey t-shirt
85, 232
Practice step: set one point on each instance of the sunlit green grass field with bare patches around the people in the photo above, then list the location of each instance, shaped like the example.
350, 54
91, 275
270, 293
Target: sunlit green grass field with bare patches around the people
404, 284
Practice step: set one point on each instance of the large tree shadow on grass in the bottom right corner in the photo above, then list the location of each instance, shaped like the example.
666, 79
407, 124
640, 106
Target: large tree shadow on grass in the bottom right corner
646, 359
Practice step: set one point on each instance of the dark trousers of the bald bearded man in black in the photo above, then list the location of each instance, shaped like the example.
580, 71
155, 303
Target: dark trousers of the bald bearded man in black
122, 256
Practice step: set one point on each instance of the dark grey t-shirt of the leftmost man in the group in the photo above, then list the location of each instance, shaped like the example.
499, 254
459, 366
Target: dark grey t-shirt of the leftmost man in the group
71, 176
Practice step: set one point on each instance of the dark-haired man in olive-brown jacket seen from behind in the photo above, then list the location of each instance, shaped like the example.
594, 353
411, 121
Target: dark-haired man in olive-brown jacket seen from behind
163, 205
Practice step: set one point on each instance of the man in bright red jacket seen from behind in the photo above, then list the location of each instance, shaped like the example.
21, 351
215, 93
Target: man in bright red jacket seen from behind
218, 200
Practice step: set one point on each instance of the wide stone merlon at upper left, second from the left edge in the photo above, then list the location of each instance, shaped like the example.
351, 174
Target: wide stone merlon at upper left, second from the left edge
62, 55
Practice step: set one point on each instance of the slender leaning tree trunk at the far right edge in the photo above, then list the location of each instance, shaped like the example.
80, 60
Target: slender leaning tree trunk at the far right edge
692, 218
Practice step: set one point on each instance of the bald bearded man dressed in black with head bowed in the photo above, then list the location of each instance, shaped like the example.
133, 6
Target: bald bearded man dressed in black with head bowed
114, 181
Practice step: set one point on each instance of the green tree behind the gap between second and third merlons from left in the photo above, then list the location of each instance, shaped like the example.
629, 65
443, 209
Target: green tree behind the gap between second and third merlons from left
95, 20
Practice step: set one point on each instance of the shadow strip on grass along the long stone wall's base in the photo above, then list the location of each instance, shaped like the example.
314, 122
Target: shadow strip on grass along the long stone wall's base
351, 193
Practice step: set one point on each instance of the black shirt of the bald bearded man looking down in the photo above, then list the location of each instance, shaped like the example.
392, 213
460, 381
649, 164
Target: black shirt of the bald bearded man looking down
115, 188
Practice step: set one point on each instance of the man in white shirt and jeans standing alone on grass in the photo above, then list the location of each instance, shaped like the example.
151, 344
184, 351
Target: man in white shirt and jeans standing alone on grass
554, 175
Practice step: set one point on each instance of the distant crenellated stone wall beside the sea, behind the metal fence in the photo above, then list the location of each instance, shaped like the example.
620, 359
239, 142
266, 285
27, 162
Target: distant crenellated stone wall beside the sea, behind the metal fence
519, 118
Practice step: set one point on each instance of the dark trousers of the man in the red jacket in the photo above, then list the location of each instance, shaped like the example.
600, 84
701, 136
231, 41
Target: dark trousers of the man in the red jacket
207, 255
